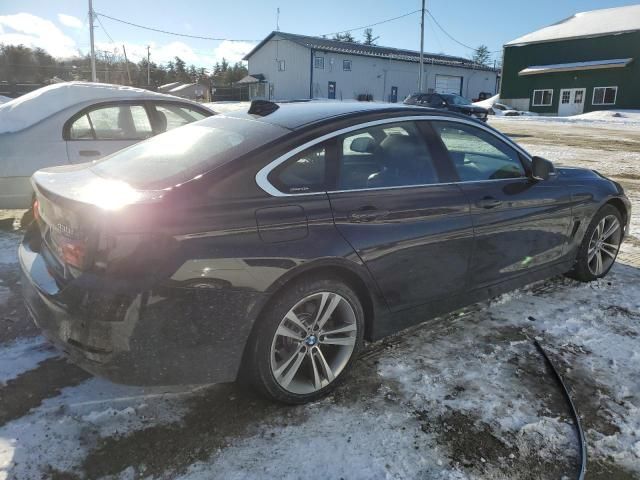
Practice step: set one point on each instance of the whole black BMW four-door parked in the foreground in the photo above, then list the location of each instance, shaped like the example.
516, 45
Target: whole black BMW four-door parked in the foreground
267, 245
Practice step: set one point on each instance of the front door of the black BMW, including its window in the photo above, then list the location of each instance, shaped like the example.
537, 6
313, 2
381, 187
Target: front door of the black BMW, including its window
520, 223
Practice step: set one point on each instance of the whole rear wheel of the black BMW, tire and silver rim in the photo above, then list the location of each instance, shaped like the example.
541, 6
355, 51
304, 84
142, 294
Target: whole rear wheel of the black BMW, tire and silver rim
306, 341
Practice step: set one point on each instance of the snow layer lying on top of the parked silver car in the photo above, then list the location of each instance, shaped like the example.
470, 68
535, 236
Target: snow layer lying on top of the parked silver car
35, 106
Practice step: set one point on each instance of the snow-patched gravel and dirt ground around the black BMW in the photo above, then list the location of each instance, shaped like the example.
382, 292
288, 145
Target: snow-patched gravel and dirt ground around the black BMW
462, 397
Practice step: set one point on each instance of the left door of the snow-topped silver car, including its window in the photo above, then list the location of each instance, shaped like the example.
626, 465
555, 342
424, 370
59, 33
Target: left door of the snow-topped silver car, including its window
104, 129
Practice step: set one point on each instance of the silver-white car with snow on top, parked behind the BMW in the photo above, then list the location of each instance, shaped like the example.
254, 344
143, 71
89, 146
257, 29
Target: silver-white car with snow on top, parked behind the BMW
76, 122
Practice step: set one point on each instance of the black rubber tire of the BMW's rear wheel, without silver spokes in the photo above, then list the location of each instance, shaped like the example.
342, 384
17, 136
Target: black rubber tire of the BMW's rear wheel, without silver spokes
258, 367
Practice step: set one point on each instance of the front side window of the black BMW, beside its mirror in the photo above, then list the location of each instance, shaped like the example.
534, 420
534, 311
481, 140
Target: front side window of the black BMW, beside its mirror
477, 154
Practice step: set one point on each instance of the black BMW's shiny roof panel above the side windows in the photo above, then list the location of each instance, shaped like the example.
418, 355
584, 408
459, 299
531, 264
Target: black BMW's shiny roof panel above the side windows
298, 115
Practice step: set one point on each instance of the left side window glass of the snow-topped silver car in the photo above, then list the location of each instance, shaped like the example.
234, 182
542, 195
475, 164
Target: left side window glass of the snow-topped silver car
113, 122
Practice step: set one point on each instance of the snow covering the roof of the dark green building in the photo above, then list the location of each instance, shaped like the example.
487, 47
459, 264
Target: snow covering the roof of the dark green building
595, 22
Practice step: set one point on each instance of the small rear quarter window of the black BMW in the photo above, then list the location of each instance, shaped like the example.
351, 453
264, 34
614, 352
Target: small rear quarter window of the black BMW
303, 173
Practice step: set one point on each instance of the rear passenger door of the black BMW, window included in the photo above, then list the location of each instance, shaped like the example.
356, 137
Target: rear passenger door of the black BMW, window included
412, 231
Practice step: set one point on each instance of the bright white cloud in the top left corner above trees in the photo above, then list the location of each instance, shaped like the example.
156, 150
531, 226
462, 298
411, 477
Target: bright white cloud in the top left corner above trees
33, 31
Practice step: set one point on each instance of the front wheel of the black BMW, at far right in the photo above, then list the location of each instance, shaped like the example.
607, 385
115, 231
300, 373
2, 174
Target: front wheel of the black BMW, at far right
600, 245
